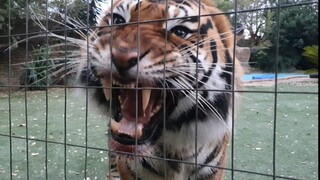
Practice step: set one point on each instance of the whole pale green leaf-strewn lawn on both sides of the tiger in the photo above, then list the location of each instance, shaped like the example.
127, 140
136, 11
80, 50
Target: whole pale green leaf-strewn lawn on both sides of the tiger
296, 137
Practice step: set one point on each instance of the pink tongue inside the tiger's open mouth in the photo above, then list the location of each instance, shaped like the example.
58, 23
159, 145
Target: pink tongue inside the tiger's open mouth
136, 111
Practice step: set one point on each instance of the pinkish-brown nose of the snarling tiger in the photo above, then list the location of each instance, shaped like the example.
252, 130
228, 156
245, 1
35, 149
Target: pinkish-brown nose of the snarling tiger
124, 60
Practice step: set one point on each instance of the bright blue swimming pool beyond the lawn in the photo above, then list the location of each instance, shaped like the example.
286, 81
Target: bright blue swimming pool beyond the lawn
265, 76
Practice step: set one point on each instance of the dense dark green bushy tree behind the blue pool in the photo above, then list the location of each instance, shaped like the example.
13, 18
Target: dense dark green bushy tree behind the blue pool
298, 29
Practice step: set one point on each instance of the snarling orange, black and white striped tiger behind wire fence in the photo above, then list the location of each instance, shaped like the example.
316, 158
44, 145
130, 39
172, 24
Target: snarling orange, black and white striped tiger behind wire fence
165, 73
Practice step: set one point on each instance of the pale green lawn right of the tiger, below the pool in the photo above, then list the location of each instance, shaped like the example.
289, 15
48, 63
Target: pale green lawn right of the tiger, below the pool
296, 144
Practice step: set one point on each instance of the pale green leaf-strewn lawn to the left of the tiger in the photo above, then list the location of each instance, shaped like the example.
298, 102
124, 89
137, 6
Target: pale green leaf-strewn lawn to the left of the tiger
69, 117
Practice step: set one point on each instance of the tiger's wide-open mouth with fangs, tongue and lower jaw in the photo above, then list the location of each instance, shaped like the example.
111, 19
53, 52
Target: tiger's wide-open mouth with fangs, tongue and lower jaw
136, 112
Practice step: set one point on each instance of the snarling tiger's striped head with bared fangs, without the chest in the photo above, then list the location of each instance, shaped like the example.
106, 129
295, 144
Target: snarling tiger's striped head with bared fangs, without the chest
154, 61
